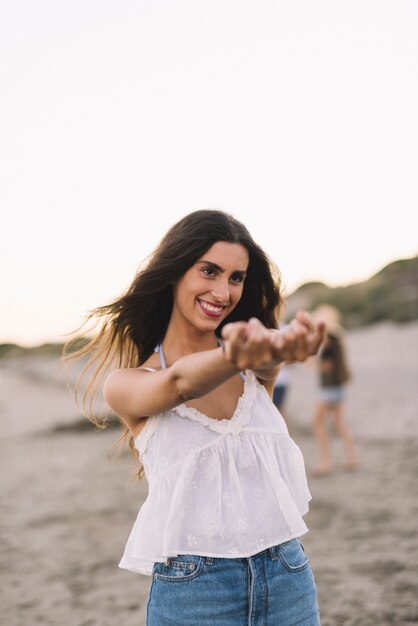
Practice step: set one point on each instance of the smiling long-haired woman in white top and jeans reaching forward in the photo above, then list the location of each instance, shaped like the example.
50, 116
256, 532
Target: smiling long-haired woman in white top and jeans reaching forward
196, 353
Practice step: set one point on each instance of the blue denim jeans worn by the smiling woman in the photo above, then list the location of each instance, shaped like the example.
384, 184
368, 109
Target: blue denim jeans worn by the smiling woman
272, 588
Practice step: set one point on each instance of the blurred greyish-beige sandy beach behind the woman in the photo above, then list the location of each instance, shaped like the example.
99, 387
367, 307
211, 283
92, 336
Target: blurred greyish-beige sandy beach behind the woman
68, 502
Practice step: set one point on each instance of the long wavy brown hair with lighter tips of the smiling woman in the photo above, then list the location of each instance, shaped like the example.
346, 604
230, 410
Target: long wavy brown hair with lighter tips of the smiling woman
134, 323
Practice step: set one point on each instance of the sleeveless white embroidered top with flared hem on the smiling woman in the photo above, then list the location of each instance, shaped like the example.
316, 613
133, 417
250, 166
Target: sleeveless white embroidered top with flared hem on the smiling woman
221, 488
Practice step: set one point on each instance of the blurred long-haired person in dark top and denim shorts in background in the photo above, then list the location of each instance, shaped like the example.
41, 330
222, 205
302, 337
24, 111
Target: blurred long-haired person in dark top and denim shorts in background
333, 377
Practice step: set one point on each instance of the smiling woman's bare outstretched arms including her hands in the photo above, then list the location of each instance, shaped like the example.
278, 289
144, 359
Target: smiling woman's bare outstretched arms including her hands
134, 393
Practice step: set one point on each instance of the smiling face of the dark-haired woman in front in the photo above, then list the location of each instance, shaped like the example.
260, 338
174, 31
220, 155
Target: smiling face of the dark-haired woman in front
211, 288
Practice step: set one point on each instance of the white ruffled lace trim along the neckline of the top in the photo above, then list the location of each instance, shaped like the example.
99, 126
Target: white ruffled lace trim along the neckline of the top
240, 418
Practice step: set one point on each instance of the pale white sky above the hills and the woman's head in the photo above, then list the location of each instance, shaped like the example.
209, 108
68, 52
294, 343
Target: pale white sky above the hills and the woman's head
119, 117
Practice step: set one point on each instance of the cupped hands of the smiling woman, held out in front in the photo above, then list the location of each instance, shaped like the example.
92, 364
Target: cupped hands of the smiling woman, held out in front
252, 345
